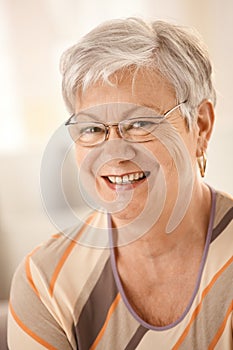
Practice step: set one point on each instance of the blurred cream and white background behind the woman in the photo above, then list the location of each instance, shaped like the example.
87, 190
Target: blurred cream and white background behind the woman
33, 34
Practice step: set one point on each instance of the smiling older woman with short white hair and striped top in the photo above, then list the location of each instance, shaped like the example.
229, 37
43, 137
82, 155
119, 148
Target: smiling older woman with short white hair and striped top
151, 266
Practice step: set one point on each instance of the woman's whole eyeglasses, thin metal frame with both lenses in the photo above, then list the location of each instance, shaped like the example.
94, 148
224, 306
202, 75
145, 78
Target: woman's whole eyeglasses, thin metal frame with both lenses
138, 129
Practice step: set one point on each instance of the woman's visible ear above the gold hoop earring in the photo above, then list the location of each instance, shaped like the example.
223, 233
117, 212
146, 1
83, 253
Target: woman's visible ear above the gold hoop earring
205, 122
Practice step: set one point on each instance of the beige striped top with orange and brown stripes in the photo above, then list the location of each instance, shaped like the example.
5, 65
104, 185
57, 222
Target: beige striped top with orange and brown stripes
67, 295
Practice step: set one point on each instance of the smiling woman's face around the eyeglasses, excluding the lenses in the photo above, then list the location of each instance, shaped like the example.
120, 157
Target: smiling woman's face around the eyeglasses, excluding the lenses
137, 179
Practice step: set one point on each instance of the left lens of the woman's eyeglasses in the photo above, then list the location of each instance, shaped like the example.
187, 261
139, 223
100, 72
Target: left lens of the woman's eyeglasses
87, 134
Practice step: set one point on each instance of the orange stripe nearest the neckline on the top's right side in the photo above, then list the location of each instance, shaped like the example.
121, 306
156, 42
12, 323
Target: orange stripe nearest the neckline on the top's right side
198, 308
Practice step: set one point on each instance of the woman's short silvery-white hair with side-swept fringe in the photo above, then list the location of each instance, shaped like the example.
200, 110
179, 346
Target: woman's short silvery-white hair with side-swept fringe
178, 53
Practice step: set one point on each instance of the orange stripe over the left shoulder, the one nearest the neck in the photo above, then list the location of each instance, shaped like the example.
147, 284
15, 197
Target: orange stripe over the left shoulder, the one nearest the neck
66, 254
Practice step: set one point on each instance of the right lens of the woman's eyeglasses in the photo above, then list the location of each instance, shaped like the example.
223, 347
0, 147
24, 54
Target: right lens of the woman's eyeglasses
139, 130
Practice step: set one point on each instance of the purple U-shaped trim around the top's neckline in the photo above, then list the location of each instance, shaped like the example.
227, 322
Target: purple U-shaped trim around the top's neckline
204, 256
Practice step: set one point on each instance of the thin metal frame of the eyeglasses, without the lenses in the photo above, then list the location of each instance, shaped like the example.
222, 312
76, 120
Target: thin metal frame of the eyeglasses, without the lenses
117, 125
